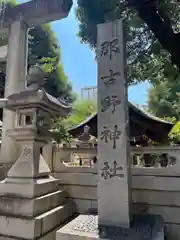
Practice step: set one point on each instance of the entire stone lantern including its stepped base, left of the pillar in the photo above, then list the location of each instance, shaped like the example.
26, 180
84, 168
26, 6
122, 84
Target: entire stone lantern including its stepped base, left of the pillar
32, 205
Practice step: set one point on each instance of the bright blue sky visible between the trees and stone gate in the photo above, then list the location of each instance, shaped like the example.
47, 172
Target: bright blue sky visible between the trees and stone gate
78, 60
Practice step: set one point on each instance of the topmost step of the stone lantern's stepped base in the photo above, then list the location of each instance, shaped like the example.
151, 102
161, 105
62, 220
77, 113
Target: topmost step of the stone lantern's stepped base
28, 188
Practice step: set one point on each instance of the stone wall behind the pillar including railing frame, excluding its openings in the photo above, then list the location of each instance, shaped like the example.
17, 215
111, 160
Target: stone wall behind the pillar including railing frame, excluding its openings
155, 190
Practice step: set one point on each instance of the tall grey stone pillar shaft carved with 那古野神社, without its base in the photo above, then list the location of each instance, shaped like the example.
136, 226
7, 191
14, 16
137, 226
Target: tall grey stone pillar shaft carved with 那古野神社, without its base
114, 184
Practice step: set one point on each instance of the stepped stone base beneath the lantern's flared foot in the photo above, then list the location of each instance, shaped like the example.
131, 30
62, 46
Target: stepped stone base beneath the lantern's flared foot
32, 208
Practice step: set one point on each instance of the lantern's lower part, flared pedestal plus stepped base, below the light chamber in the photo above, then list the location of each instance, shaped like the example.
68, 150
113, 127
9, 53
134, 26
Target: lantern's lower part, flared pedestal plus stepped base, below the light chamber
31, 203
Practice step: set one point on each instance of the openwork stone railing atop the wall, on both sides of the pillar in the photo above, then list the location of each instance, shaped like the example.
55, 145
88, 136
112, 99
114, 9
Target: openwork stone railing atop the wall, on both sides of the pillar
141, 157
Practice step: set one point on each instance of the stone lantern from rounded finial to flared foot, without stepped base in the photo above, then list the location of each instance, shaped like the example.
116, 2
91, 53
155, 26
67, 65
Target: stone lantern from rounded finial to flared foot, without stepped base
34, 110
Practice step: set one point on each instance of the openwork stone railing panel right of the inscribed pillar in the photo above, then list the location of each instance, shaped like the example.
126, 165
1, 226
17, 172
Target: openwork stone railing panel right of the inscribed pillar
161, 161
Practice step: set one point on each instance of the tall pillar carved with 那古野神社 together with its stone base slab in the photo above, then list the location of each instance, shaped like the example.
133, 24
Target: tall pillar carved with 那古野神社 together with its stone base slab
113, 217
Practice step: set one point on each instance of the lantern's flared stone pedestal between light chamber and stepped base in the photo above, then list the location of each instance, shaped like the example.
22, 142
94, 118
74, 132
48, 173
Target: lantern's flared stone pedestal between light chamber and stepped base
31, 163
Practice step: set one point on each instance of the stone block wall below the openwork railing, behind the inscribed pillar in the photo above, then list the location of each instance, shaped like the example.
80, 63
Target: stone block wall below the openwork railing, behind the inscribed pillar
156, 194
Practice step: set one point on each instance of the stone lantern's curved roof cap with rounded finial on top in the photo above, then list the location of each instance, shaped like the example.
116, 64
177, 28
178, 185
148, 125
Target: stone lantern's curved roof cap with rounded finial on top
35, 96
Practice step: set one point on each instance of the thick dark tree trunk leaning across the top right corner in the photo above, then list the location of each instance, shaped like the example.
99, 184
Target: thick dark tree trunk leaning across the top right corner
159, 24
